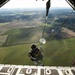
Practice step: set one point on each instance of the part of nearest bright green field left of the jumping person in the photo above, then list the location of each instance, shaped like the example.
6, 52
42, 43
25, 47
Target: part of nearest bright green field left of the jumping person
14, 54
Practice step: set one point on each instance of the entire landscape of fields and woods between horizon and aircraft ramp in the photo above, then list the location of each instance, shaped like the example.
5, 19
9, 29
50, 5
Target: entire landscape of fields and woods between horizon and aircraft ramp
18, 31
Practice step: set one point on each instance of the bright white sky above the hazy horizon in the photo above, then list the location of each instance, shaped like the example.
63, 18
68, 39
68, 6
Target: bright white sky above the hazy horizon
35, 4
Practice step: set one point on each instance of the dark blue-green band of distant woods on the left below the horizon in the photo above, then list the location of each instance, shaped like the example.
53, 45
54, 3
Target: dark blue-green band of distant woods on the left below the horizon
8, 18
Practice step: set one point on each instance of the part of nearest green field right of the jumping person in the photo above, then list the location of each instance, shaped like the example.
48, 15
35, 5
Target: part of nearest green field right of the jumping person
60, 53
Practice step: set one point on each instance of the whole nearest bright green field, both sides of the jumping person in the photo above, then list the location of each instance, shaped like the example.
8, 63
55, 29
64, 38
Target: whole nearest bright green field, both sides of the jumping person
56, 52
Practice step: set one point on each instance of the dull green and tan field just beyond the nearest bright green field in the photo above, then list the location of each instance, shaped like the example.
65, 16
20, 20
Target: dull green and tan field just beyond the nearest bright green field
23, 35
